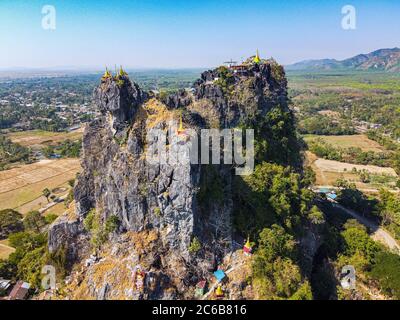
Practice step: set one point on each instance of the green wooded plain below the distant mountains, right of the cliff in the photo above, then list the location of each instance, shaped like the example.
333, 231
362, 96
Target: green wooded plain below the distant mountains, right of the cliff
370, 97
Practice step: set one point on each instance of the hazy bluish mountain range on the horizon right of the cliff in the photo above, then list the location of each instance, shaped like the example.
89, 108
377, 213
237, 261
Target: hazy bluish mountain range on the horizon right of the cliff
379, 60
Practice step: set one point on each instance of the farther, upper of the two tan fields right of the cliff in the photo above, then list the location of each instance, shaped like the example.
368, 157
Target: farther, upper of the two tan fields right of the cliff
349, 141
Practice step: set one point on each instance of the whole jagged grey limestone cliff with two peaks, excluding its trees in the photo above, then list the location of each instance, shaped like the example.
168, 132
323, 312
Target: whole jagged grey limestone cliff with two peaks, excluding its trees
177, 201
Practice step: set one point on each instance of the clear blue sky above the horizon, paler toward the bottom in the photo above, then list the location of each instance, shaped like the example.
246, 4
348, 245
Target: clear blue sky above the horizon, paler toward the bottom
200, 33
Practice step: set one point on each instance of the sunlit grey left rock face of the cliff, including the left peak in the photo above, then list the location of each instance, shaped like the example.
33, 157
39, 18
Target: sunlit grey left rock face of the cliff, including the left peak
117, 180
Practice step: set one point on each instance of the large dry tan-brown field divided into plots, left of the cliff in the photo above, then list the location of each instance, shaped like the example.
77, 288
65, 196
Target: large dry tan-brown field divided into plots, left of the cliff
21, 187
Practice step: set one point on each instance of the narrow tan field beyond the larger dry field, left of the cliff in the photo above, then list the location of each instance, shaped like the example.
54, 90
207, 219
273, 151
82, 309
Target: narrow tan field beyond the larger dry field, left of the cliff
39, 138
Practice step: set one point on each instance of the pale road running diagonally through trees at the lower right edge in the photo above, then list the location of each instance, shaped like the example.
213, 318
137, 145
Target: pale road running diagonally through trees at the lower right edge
378, 233
